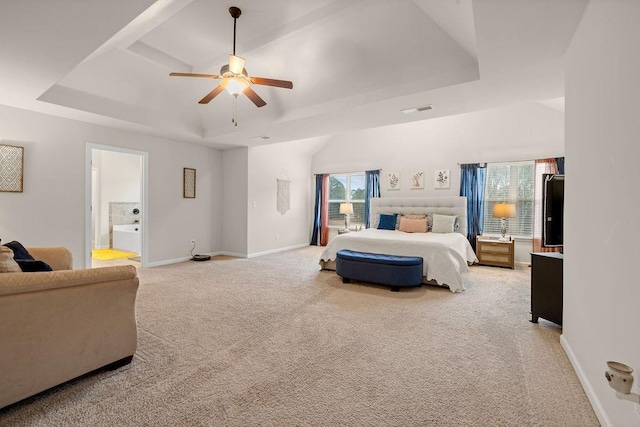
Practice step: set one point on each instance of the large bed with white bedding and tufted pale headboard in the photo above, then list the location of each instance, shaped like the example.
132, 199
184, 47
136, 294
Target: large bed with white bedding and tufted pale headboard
446, 255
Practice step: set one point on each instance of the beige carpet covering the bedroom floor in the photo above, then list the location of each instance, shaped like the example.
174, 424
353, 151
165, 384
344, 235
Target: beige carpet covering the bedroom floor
272, 341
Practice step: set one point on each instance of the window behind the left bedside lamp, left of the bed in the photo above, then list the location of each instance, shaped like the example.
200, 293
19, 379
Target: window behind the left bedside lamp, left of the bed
349, 187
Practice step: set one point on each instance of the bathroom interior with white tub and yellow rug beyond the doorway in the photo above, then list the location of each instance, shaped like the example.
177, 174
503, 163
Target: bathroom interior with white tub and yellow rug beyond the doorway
116, 194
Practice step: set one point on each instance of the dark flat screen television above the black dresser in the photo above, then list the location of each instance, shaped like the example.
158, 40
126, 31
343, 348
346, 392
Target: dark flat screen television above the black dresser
552, 210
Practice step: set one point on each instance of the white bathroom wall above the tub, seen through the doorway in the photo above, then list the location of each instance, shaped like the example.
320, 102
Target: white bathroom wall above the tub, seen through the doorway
119, 180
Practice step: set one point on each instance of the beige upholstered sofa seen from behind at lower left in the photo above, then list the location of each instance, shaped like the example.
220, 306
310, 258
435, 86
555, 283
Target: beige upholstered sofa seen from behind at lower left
58, 325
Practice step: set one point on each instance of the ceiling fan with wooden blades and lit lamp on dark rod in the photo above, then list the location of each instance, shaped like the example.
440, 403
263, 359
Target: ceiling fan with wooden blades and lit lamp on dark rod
235, 77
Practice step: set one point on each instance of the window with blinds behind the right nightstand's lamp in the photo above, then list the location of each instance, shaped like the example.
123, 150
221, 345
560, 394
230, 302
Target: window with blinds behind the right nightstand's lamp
510, 183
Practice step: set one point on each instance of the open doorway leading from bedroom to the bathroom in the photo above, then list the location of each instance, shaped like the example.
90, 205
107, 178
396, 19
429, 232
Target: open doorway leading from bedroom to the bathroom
116, 214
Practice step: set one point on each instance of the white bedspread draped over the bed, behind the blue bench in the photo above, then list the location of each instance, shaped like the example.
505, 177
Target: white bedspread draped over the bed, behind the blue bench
445, 255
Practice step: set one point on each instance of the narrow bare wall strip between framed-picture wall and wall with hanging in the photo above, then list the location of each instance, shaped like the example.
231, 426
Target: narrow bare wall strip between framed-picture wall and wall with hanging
235, 182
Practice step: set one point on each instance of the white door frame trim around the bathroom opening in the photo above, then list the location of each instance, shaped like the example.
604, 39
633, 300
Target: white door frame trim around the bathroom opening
144, 202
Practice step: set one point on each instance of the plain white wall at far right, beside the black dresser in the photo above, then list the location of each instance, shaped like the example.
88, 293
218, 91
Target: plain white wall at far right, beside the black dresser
601, 279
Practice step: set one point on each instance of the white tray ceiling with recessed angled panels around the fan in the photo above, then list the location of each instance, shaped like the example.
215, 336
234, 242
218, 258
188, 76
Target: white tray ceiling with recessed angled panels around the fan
354, 63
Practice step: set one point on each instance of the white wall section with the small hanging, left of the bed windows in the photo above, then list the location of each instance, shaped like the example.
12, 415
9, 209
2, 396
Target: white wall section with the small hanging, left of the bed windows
269, 230
